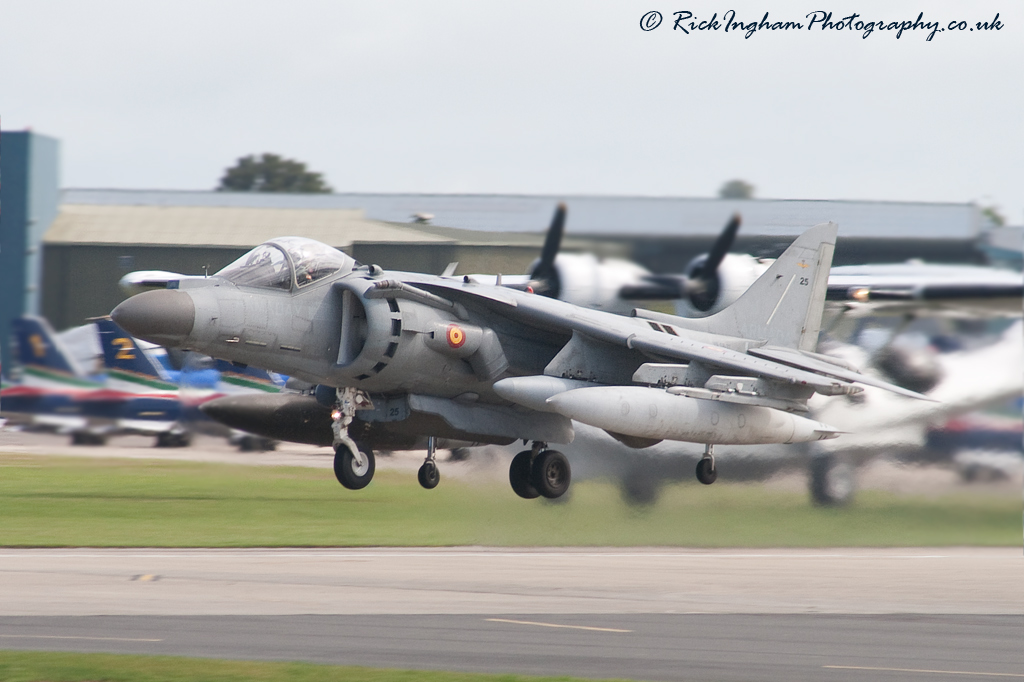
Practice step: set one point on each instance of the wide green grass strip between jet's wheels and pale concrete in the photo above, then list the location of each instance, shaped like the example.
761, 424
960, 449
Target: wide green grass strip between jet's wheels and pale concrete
69, 502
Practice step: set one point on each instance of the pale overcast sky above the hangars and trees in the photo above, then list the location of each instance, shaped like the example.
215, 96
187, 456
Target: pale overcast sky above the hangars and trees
537, 98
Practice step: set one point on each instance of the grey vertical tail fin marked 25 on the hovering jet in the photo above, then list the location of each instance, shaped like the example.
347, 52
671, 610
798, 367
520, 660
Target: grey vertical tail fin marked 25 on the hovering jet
784, 307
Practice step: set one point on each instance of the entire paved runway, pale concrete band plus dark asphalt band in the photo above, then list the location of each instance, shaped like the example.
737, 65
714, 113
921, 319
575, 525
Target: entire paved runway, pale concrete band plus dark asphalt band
649, 615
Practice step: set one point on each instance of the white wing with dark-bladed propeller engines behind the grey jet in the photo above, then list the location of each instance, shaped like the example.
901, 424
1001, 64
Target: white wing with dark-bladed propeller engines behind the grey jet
713, 281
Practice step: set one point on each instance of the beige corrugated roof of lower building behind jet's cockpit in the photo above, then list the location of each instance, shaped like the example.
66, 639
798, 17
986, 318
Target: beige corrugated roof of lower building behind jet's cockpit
223, 227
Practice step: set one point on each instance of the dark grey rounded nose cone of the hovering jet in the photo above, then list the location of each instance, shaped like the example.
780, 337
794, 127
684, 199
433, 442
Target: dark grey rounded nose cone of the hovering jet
163, 317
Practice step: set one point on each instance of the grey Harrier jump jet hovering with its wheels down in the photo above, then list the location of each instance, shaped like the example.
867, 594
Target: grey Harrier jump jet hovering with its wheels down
442, 357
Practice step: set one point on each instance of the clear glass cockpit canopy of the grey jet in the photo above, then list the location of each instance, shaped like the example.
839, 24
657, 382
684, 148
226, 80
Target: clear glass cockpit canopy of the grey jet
287, 262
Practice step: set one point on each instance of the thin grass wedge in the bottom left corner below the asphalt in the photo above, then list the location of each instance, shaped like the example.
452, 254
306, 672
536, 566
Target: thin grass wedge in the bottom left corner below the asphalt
59, 667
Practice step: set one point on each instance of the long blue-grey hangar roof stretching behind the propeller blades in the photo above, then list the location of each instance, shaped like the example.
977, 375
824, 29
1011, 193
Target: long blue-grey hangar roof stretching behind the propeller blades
604, 217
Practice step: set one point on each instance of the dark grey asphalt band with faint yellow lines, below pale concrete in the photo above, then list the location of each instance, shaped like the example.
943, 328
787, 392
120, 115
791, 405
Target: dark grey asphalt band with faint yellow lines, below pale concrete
633, 647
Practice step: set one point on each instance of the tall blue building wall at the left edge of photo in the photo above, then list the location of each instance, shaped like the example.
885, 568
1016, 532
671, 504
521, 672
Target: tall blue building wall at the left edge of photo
30, 196
